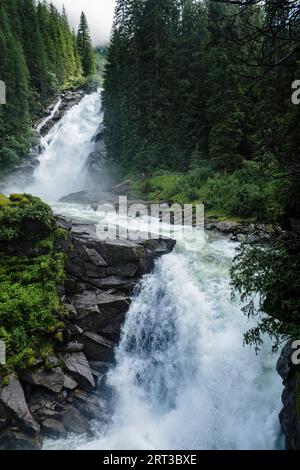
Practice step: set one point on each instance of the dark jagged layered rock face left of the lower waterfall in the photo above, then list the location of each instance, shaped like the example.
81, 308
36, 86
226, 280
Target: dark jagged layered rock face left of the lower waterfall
66, 395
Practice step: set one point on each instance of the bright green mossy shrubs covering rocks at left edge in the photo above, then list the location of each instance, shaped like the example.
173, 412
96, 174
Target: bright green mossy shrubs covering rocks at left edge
29, 296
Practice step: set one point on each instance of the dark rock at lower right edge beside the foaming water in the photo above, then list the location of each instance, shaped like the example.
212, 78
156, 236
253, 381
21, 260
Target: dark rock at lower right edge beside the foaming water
290, 414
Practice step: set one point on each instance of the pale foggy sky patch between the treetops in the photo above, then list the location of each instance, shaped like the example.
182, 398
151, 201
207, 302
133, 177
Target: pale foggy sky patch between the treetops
99, 14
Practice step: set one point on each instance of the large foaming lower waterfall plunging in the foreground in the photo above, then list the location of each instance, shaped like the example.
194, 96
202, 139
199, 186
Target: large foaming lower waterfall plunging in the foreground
183, 379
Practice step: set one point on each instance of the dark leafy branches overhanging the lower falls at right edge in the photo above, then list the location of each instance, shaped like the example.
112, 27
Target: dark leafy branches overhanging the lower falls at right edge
267, 281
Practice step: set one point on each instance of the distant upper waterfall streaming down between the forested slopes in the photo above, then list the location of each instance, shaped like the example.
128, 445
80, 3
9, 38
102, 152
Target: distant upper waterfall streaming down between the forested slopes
64, 152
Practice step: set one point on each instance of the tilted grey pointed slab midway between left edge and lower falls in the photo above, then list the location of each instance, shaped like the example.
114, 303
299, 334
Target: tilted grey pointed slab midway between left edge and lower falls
79, 369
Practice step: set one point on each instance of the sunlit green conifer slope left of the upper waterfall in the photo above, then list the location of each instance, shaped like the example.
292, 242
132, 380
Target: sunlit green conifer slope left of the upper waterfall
39, 58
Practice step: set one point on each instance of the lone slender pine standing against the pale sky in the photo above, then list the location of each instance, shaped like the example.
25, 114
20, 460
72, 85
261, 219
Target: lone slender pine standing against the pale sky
85, 49
